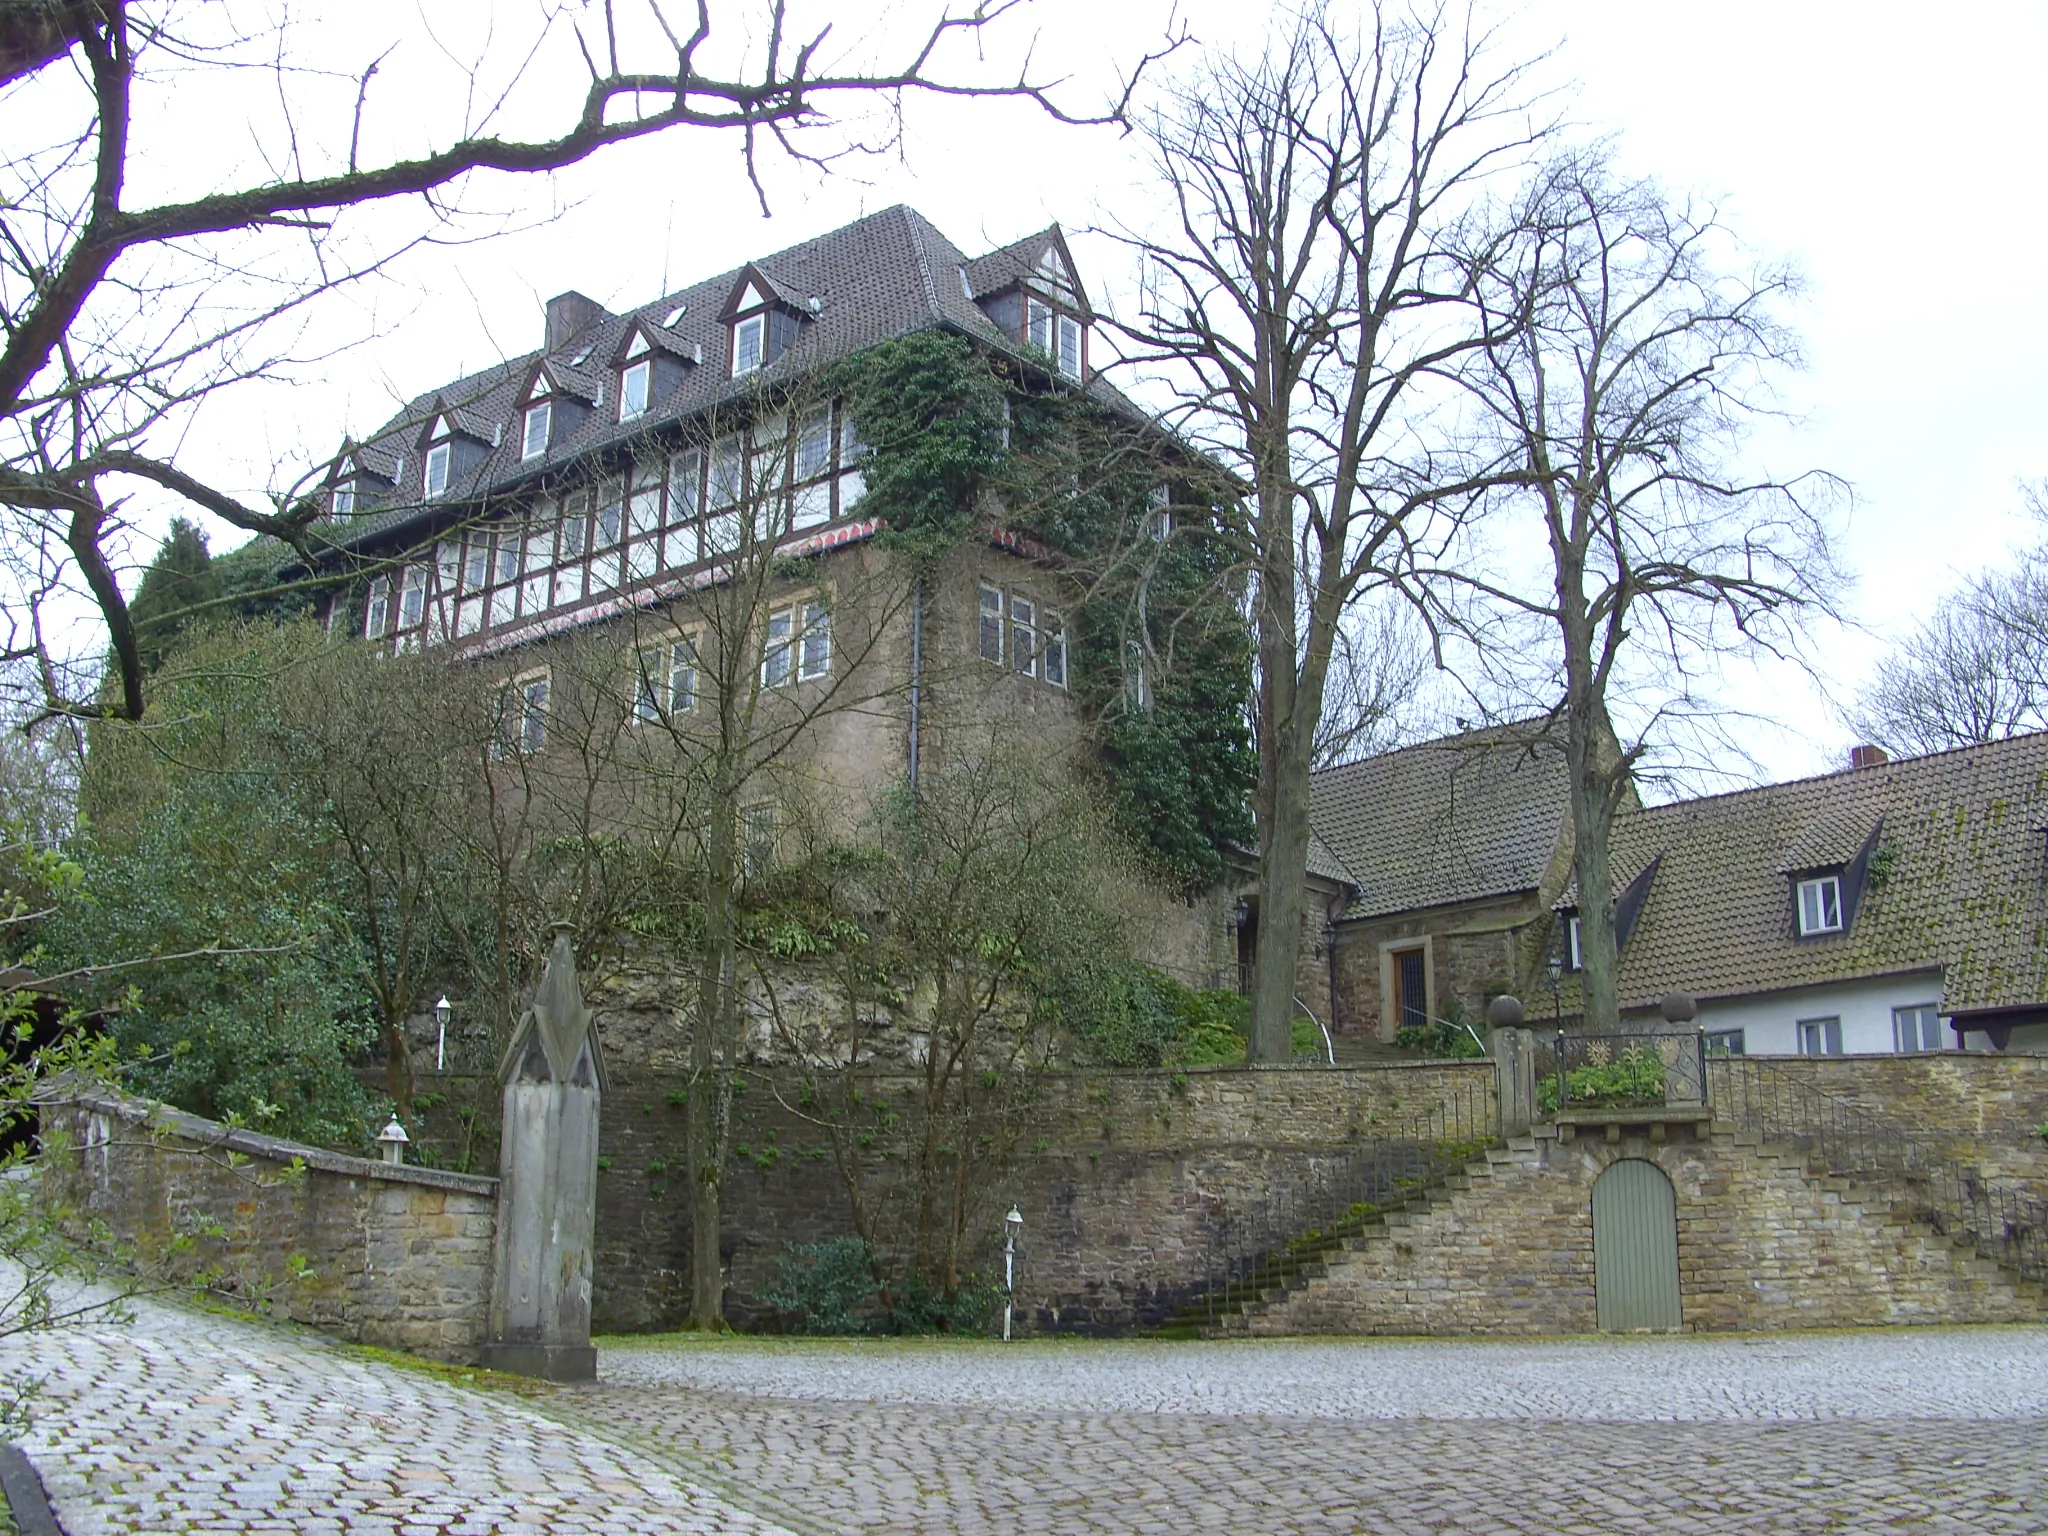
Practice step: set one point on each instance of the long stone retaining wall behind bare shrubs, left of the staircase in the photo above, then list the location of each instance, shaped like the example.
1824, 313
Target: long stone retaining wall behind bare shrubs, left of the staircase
1121, 1177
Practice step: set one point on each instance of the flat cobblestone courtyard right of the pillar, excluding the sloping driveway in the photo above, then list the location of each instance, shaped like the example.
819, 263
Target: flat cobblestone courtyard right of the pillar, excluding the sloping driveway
1938, 1431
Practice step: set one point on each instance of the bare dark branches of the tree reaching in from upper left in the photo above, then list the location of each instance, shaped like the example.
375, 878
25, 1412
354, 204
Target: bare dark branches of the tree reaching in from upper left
124, 314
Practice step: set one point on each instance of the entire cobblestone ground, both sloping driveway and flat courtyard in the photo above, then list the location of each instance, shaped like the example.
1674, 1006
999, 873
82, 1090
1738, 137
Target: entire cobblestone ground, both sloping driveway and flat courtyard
196, 1422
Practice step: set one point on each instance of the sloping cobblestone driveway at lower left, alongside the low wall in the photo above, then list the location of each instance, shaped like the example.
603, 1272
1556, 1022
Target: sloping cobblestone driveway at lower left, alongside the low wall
185, 1422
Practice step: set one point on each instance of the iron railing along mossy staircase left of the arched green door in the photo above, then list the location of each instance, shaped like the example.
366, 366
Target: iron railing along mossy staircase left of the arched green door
1336, 1195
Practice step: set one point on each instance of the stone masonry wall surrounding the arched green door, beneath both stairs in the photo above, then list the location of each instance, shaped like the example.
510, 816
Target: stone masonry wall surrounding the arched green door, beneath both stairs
1762, 1244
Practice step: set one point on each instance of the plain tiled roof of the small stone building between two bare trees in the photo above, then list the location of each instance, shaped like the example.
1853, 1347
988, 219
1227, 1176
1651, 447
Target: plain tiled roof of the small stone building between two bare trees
1455, 820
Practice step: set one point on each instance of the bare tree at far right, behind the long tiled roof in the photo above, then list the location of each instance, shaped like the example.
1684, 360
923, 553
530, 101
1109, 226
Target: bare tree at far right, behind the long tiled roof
1975, 671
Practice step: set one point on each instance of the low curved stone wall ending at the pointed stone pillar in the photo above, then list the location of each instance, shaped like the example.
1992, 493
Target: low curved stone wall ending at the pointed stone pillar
372, 1252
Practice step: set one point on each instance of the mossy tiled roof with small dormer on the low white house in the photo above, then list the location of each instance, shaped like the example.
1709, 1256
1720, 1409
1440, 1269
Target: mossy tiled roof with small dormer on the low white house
1957, 882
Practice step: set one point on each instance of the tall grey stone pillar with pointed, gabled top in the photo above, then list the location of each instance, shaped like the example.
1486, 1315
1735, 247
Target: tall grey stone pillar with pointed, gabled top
548, 1183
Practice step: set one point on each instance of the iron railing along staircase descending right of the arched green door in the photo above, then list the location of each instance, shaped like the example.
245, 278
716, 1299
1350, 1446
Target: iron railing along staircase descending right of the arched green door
1998, 1218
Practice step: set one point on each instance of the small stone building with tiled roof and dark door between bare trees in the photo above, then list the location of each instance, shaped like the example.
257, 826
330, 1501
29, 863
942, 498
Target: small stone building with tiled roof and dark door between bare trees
1455, 853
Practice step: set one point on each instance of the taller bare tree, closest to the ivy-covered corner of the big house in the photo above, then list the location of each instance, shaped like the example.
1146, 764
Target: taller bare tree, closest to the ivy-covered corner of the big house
1304, 306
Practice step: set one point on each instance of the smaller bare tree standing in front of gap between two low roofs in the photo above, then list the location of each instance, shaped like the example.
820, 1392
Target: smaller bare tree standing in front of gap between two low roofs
1621, 376
